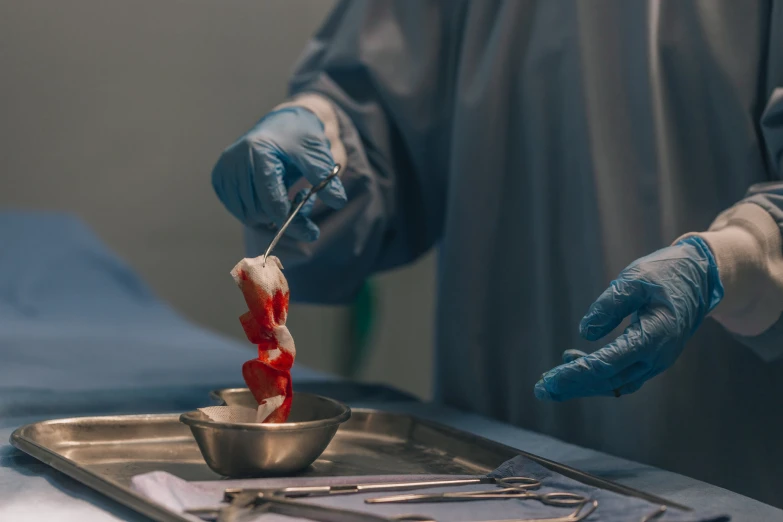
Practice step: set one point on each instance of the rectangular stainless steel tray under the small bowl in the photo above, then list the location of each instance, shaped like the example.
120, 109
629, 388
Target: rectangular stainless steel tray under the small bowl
104, 453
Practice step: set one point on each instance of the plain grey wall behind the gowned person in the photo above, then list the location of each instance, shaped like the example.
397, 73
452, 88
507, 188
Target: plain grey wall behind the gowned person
117, 110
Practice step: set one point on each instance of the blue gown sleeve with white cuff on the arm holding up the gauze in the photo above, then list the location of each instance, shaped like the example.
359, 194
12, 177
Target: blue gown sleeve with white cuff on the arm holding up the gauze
380, 76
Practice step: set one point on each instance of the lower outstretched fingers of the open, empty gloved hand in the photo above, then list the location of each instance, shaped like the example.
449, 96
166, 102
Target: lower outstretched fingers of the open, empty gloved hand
599, 373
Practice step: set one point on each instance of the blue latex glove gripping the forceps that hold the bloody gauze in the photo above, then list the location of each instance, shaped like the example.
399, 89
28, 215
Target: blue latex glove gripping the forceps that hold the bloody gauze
253, 176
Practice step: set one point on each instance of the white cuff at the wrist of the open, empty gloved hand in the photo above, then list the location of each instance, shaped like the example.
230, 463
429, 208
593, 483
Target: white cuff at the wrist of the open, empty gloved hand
746, 243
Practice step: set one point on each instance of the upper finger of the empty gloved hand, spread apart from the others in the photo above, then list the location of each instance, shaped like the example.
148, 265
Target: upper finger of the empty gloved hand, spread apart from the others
623, 297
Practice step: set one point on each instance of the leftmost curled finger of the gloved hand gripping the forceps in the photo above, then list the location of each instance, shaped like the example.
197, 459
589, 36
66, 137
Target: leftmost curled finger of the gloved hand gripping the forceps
266, 182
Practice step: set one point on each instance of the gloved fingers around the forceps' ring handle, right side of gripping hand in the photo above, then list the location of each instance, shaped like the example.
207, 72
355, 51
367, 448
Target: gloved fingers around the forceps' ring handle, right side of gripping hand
316, 163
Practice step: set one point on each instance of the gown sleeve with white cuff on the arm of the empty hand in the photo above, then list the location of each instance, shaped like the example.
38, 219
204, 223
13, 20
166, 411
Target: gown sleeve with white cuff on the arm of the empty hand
747, 239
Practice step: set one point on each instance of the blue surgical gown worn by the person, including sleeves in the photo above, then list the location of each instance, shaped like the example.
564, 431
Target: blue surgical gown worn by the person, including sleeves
541, 146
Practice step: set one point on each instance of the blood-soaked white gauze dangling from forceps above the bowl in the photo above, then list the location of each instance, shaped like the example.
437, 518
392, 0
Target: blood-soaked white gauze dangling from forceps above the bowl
268, 376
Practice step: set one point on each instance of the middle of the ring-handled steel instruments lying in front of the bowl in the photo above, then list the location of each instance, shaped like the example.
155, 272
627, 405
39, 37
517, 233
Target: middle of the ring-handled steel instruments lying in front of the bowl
509, 490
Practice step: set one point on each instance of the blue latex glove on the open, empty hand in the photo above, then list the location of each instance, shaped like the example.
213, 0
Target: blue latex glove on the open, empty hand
669, 293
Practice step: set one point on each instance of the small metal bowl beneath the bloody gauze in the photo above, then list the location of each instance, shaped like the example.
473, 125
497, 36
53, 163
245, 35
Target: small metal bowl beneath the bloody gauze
248, 450
